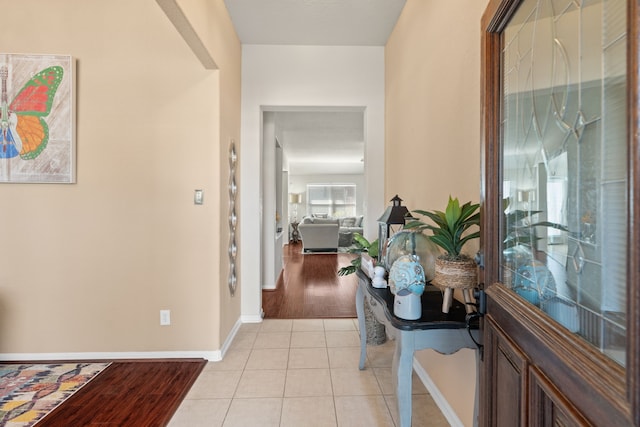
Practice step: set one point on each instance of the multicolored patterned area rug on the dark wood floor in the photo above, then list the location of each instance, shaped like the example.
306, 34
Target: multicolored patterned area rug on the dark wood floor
29, 392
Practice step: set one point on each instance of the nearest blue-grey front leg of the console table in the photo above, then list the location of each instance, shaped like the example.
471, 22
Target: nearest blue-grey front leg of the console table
402, 371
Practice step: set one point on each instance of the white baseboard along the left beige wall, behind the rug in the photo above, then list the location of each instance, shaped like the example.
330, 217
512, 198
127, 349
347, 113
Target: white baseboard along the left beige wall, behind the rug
208, 355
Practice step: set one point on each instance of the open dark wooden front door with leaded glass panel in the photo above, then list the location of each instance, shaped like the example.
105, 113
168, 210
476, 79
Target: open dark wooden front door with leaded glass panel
560, 245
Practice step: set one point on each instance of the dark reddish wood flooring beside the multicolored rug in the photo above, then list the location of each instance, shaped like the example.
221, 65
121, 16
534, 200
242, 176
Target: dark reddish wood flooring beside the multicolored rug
140, 393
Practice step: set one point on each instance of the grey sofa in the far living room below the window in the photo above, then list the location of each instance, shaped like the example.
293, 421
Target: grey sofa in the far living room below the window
328, 234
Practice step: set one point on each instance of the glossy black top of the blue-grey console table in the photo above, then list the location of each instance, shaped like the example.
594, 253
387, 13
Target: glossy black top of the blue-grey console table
432, 315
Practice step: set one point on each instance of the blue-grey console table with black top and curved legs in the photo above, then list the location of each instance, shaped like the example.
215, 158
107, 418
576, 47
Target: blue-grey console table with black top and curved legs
445, 333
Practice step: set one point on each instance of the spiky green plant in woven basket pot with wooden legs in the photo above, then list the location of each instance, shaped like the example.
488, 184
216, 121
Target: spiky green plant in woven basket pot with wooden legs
451, 231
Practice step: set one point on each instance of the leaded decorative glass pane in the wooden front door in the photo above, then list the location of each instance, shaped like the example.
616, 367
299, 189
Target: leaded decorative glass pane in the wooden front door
564, 165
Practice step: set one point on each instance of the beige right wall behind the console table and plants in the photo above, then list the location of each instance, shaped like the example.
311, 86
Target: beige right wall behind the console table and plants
432, 67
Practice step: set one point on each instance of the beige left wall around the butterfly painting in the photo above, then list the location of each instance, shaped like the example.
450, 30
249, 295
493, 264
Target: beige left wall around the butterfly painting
86, 267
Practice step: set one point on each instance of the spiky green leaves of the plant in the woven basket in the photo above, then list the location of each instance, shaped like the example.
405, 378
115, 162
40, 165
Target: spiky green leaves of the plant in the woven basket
451, 226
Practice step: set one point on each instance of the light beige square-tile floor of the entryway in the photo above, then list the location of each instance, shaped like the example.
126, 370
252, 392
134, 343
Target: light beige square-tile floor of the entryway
301, 373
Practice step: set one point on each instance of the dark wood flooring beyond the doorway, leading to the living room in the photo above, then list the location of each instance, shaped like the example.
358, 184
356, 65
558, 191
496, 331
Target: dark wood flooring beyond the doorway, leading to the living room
309, 287
